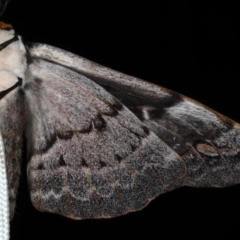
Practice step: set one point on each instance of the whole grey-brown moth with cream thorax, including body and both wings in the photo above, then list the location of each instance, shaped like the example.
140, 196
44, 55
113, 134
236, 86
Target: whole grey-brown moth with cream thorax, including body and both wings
124, 153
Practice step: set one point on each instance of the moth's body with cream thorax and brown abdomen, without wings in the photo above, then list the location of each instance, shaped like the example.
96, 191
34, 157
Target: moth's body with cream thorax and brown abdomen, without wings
13, 66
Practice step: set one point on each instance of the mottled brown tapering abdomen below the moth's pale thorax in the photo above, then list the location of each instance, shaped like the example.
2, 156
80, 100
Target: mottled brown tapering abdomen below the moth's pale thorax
12, 124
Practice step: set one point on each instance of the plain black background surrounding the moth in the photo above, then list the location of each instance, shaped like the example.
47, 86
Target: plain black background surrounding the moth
188, 47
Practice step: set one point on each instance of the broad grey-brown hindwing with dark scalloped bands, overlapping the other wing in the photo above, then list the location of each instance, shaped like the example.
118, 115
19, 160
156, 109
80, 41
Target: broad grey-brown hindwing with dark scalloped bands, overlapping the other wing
89, 156
